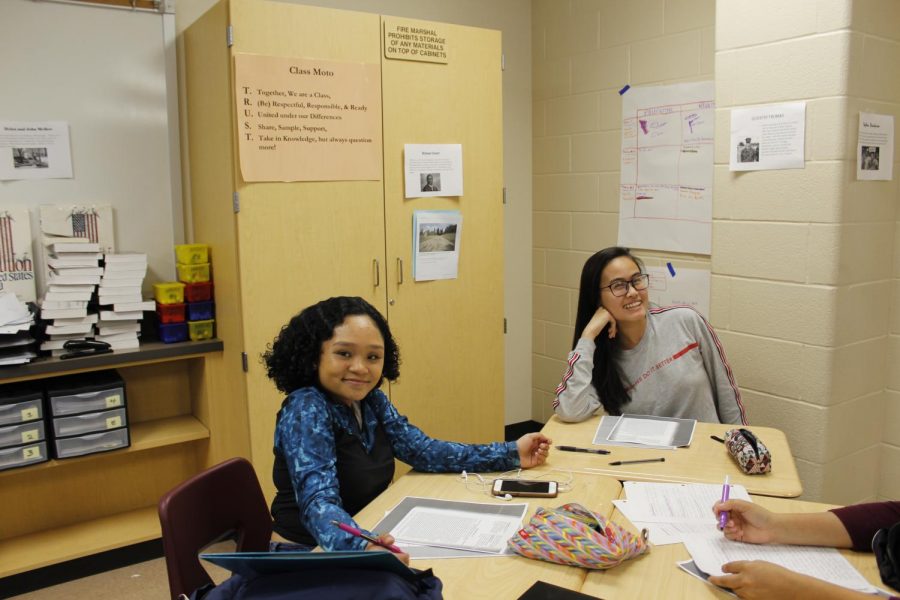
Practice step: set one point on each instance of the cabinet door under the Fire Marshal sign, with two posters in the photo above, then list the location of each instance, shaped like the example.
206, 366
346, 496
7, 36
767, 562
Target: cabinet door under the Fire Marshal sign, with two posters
450, 332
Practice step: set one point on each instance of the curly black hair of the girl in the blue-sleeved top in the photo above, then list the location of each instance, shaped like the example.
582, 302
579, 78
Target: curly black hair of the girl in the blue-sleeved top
292, 359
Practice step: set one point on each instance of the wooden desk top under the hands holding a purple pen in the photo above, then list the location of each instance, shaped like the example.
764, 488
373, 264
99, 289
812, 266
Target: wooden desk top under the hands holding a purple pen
655, 574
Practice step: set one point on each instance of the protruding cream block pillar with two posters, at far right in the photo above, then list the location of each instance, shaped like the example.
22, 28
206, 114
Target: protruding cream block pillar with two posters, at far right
803, 274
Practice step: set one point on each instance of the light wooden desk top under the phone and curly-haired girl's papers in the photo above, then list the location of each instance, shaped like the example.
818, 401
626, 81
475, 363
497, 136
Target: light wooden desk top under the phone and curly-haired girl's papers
494, 577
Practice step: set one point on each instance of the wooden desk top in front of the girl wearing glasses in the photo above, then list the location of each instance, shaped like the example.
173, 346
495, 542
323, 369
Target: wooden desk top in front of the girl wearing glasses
704, 461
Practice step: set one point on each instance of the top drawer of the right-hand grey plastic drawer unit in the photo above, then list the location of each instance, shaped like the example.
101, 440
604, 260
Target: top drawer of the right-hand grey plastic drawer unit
91, 392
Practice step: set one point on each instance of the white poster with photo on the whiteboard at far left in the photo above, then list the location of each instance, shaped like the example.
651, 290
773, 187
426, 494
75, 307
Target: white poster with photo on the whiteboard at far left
34, 150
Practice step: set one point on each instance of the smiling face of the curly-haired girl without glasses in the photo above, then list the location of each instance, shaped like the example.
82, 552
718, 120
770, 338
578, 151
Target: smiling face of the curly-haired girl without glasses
351, 361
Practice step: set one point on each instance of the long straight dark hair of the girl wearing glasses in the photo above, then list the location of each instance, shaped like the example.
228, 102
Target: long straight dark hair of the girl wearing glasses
605, 376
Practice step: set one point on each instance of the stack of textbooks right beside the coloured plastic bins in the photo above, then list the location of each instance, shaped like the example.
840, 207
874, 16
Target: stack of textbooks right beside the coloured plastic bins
120, 300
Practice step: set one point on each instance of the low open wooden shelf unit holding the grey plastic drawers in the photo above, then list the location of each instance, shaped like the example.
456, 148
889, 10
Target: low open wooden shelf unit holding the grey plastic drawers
65, 509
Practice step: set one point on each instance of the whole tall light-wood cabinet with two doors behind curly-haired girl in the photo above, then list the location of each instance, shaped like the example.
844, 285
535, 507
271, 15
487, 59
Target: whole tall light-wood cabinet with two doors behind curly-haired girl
291, 244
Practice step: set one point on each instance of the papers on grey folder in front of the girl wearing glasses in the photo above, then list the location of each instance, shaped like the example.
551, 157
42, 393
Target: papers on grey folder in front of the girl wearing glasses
645, 431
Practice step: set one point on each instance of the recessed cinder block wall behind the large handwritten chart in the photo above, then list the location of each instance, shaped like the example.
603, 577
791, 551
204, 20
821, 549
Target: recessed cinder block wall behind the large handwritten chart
584, 52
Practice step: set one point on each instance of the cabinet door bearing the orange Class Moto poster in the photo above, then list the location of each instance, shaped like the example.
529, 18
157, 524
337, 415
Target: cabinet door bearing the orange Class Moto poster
301, 242
